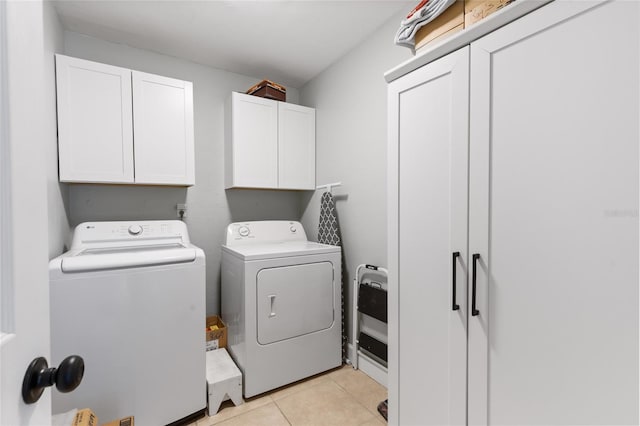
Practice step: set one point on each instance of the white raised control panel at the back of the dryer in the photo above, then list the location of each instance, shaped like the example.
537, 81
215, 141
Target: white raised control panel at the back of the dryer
264, 232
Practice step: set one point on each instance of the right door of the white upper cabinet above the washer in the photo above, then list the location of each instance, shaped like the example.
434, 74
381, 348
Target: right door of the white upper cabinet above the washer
163, 130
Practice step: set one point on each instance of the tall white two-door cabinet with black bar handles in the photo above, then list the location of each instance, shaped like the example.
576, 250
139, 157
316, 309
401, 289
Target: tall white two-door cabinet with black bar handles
535, 126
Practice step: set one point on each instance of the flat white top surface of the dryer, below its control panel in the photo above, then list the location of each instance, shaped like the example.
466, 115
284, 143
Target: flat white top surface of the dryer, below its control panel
277, 250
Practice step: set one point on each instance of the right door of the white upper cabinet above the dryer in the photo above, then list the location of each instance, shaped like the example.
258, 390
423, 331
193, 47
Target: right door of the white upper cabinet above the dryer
296, 147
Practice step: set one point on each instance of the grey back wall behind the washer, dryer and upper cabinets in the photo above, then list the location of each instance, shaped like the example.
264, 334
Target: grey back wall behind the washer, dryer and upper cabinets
209, 207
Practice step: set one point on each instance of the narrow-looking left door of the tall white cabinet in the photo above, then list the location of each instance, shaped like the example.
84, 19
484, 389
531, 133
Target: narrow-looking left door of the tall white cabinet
428, 162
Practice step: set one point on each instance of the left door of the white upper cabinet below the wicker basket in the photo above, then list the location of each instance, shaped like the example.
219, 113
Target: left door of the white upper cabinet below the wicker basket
252, 144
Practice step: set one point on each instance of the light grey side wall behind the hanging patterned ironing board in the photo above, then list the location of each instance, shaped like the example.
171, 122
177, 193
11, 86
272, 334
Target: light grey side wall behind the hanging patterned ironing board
350, 98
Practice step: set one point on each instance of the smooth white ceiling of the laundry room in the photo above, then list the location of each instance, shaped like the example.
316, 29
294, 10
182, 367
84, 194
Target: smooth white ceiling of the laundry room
289, 42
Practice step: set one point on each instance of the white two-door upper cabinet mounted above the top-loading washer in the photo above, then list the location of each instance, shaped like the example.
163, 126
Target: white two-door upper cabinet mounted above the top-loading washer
121, 126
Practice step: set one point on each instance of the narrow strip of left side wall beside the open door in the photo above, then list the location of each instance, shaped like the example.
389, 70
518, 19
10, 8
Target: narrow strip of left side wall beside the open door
57, 193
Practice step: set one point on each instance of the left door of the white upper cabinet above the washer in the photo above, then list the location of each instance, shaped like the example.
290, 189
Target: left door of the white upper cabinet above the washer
95, 140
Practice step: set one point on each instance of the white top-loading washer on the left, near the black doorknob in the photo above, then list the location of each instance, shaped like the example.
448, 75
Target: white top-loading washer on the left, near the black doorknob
129, 298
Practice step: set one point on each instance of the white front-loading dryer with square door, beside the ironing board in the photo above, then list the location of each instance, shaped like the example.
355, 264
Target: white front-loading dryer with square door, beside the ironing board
281, 303
